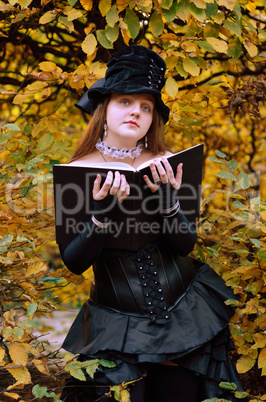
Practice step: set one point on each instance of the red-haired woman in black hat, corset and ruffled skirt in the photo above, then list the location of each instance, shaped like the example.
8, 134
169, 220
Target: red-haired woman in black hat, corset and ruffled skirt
159, 315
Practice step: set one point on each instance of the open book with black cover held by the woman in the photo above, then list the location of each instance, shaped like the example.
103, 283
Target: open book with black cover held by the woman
137, 220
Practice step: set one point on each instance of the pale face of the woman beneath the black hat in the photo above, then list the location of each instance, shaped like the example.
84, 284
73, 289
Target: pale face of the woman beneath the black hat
128, 118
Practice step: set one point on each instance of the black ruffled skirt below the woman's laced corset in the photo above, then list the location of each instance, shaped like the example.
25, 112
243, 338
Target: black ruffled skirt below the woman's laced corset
196, 337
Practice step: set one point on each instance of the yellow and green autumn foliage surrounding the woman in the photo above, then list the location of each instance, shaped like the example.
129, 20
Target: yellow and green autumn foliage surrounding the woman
216, 89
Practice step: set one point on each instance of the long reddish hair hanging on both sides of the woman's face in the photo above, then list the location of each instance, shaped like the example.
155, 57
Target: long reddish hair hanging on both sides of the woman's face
94, 131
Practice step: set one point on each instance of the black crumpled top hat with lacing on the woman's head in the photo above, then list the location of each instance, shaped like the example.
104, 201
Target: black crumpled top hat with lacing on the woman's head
132, 70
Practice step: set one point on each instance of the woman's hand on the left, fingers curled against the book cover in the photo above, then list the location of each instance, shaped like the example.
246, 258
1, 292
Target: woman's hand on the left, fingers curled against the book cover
114, 185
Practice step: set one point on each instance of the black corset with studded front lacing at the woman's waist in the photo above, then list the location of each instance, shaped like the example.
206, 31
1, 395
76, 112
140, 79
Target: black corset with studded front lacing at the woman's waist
147, 282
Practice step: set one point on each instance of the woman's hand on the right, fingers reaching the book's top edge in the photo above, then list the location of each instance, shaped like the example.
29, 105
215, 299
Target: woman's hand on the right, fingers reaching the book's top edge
162, 173
